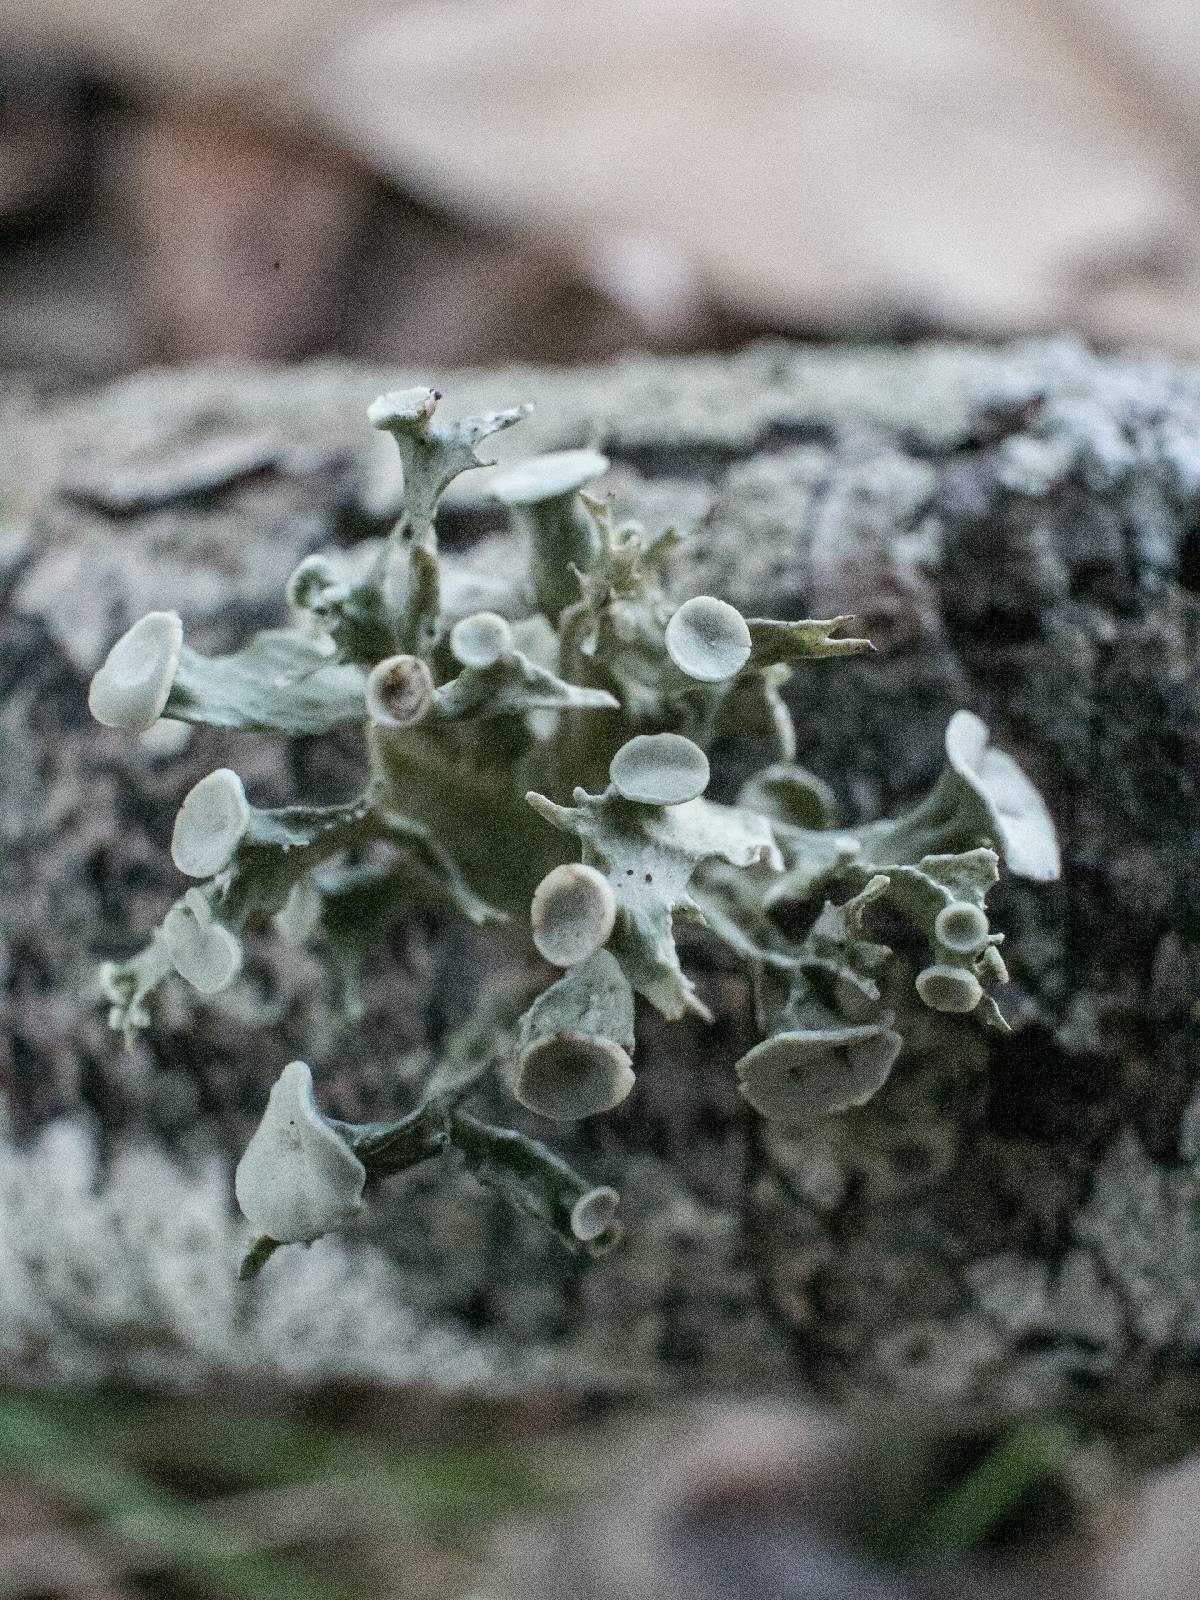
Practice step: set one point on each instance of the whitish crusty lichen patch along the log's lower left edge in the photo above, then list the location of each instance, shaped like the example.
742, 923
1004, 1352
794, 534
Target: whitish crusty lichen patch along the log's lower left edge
122, 1271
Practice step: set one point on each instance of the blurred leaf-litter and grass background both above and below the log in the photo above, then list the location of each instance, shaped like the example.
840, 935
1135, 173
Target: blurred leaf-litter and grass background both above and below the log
439, 183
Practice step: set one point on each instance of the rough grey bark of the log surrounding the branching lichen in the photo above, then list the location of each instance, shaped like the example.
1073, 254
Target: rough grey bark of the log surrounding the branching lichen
1010, 1222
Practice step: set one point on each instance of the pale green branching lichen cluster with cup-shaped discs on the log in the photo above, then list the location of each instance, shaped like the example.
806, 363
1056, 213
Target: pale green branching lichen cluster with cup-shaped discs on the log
543, 764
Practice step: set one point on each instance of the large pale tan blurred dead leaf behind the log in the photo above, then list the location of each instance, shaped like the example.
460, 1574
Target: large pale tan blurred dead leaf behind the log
991, 167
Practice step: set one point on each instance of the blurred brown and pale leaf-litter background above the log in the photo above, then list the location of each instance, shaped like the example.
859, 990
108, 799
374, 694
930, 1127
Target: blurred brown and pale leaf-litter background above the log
447, 182
